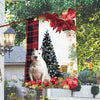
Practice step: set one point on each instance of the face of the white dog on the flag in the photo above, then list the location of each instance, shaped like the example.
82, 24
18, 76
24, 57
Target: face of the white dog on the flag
36, 55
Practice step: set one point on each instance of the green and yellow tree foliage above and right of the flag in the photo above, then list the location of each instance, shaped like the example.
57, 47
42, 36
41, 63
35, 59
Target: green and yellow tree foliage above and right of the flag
88, 23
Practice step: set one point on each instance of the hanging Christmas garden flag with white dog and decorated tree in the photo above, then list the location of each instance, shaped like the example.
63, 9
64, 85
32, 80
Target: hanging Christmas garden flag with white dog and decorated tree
51, 60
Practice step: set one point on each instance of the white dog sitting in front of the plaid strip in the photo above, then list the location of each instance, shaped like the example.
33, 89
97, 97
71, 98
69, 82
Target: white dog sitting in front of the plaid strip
38, 68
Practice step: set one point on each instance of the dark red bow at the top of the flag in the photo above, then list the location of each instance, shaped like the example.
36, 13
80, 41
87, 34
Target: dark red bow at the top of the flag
60, 24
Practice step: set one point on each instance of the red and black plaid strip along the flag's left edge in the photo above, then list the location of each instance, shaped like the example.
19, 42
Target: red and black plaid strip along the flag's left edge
32, 42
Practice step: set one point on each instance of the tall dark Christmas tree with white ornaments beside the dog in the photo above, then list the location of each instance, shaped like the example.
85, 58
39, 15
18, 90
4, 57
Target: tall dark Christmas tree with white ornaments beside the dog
49, 56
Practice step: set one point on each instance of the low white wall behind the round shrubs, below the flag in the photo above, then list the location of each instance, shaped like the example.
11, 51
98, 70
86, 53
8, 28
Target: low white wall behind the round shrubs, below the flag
85, 92
